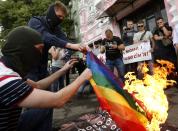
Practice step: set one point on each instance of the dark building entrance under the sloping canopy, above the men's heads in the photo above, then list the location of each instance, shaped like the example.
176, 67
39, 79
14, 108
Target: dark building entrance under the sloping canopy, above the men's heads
146, 10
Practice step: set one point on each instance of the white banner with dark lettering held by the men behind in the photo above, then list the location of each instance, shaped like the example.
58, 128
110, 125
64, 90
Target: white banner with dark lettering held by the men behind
137, 52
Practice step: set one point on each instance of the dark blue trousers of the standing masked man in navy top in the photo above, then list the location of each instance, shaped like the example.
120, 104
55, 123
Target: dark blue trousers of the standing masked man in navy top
35, 119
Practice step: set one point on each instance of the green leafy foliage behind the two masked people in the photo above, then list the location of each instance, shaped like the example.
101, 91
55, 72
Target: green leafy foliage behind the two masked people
18, 12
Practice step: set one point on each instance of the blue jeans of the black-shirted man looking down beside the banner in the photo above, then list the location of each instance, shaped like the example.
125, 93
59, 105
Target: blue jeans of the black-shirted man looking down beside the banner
118, 63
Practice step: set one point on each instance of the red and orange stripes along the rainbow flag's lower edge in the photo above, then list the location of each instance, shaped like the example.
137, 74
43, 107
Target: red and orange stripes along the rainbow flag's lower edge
127, 118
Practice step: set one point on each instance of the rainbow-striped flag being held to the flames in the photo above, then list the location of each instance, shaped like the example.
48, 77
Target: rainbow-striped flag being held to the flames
111, 96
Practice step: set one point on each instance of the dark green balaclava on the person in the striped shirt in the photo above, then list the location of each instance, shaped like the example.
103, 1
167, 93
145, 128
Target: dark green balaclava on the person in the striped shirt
20, 50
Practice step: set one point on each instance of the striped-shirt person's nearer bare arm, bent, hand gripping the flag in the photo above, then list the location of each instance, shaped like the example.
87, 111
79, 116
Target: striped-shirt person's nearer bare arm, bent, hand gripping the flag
45, 99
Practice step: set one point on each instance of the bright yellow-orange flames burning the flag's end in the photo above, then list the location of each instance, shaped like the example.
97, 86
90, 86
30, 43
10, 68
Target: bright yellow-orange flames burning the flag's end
150, 91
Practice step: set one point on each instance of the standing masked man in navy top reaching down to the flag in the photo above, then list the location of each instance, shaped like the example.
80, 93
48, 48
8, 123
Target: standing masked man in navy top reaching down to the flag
49, 27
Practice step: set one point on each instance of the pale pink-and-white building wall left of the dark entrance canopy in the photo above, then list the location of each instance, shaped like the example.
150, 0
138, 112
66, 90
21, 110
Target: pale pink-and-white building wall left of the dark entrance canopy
92, 24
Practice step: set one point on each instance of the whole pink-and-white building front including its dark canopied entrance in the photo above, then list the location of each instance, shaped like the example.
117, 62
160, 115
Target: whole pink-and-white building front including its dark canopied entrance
93, 17
